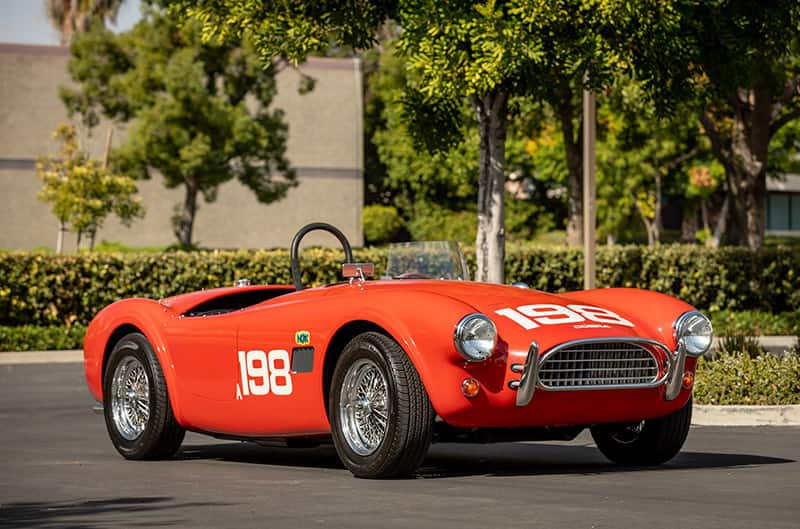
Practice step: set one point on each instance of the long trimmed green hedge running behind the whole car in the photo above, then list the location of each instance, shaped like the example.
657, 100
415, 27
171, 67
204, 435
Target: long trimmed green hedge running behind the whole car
43, 289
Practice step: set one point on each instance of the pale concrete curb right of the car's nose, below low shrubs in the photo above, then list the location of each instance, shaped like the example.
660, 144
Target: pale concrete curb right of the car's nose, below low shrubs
706, 415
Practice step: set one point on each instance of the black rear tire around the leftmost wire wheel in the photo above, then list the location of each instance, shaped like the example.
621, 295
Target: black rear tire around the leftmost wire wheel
160, 435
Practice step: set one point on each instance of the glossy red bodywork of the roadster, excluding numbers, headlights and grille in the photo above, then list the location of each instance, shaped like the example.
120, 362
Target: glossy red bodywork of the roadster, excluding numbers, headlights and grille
199, 354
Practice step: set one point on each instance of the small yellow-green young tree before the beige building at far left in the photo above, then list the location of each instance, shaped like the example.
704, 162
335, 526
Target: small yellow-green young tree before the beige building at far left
83, 192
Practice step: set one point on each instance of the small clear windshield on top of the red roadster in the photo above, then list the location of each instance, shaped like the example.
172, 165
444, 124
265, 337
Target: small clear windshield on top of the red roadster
426, 260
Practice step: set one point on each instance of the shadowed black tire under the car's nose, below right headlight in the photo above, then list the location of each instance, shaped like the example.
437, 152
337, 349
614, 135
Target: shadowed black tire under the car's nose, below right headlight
651, 442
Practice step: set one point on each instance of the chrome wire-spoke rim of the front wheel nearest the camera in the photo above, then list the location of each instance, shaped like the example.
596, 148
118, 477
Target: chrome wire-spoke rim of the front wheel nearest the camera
363, 407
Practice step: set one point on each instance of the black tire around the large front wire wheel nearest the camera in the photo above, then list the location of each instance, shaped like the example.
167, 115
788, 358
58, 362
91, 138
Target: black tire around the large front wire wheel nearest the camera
407, 408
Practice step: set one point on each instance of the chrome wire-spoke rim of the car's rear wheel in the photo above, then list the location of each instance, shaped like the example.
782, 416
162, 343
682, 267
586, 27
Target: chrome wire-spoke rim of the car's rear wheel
130, 398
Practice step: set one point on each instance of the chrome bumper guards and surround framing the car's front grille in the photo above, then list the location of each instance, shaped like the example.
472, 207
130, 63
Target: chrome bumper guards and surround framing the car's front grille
529, 381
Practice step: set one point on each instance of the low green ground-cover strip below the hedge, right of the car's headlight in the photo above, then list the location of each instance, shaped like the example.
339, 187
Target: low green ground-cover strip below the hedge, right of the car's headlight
756, 323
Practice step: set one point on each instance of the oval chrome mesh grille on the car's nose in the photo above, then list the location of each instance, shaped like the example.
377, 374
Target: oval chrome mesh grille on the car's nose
596, 365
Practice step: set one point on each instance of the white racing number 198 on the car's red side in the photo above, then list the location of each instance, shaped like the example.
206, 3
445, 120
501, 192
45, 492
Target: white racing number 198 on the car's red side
261, 372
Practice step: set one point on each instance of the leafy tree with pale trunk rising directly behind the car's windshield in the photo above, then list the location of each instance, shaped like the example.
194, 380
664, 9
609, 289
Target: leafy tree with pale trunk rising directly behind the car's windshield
483, 52
